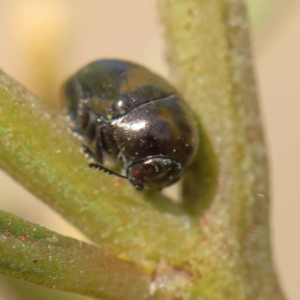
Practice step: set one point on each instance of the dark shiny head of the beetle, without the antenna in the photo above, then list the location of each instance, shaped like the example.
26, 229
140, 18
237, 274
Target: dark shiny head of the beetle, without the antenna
154, 173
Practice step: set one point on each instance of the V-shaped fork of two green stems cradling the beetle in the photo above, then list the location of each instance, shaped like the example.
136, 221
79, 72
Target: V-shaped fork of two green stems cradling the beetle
220, 249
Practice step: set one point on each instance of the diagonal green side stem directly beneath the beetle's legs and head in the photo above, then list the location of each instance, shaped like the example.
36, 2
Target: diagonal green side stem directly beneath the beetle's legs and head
37, 150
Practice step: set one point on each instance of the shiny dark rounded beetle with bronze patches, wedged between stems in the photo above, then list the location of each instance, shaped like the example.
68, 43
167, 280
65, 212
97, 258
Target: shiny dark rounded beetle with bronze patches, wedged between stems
135, 116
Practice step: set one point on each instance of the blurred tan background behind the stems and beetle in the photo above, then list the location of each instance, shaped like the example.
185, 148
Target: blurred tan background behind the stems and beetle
43, 42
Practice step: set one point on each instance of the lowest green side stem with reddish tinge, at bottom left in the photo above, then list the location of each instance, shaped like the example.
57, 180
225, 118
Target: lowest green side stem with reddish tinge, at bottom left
33, 253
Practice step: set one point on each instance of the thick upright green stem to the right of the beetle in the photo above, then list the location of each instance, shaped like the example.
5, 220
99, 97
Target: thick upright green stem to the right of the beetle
209, 53
